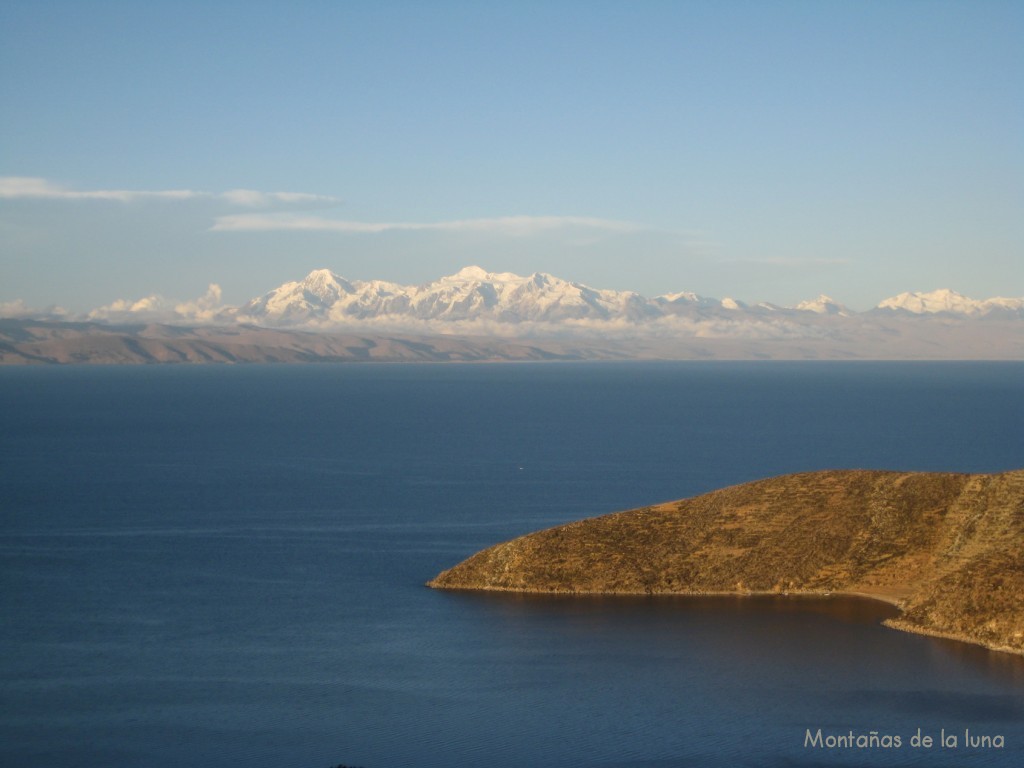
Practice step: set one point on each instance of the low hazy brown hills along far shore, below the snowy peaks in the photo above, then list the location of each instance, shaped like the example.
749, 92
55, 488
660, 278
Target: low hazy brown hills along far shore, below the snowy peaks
53, 343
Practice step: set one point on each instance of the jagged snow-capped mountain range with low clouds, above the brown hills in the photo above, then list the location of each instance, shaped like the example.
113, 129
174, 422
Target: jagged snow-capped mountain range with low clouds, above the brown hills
475, 301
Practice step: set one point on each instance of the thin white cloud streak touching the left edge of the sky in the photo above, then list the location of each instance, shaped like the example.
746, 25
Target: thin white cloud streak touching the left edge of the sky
15, 188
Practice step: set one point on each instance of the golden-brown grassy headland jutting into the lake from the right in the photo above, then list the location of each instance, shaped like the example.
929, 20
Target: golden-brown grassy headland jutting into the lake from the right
946, 548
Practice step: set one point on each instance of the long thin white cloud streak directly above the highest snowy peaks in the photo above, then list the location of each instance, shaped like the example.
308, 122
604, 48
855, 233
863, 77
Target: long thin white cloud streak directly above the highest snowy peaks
519, 226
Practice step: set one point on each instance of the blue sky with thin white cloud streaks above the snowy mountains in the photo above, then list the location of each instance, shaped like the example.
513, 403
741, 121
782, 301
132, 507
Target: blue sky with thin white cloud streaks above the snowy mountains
763, 151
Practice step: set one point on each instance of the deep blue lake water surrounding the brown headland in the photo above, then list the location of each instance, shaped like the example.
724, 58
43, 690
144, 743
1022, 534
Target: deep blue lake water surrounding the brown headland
224, 567
